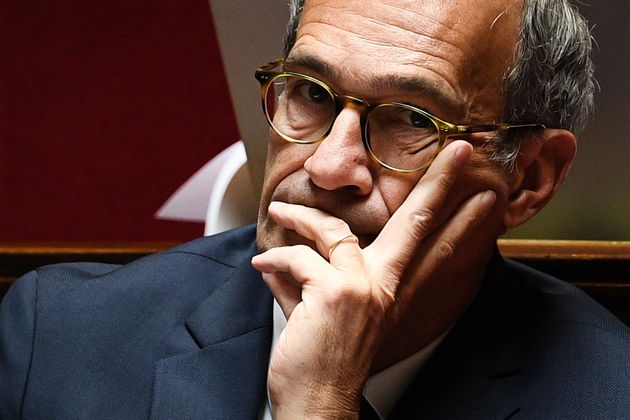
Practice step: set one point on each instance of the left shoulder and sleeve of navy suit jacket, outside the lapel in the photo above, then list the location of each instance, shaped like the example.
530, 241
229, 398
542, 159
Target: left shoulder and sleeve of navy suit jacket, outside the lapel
116, 320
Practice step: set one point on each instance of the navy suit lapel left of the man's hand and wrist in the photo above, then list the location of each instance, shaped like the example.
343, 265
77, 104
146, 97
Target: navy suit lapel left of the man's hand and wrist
226, 377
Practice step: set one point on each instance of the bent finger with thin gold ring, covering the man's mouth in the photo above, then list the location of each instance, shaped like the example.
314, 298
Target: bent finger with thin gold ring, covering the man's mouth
328, 232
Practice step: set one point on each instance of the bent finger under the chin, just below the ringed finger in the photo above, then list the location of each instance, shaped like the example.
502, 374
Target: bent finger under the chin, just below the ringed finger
301, 262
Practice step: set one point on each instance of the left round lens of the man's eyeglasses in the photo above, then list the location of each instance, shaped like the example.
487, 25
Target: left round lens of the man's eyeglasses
298, 108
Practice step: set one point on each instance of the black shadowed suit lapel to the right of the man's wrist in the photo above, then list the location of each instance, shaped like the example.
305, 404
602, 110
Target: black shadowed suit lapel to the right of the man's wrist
478, 371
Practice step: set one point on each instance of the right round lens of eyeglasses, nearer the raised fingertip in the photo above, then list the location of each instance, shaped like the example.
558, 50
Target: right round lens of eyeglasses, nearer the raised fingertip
401, 138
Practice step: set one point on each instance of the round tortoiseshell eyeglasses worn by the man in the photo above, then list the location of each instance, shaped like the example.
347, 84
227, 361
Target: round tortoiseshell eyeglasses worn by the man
399, 136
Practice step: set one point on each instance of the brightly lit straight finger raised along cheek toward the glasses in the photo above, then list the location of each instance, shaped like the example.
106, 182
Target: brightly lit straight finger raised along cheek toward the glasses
413, 220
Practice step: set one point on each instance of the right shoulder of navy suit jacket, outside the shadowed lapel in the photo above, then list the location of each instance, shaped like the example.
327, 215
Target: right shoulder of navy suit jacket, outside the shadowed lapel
576, 351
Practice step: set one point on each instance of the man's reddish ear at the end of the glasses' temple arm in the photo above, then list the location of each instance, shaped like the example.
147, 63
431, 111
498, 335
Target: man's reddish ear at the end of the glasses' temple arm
541, 167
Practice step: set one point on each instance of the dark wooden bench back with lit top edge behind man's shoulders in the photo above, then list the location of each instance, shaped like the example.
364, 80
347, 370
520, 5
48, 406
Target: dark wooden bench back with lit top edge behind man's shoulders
602, 269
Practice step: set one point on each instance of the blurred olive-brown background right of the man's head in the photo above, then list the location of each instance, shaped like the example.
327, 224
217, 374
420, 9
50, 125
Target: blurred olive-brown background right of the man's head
594, 203
